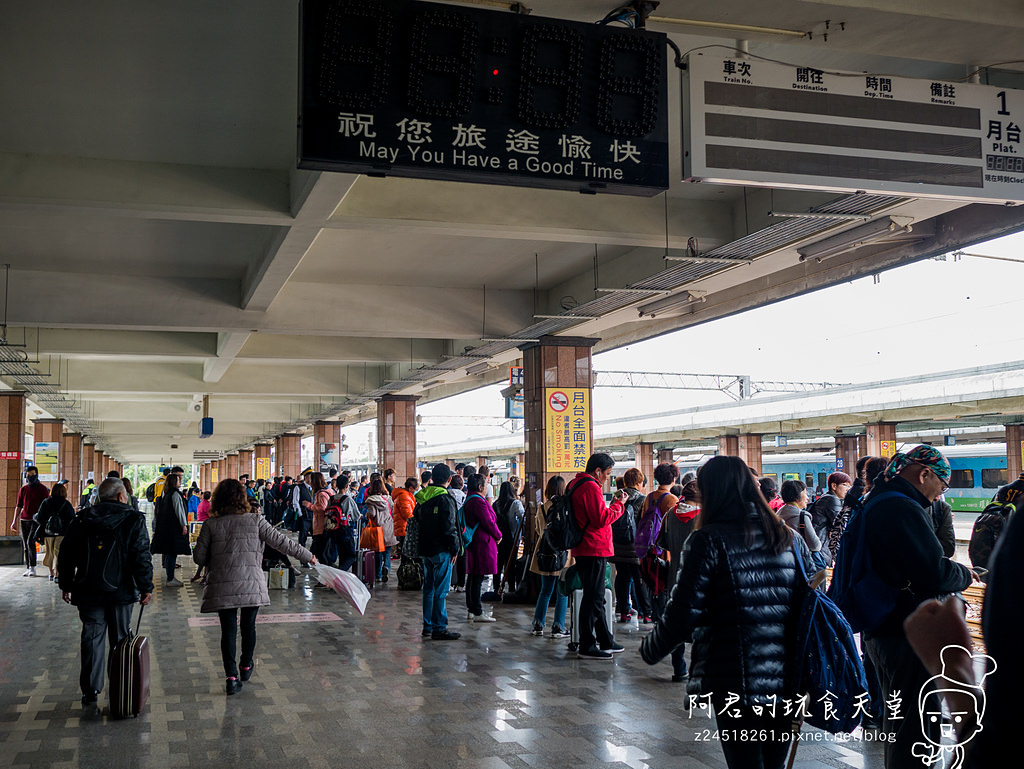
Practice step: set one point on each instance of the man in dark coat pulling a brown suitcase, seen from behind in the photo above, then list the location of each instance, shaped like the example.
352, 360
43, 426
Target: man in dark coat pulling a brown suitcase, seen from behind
104, 569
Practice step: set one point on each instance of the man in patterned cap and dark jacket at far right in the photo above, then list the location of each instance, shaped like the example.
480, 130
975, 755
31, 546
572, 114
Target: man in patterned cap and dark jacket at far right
907, 554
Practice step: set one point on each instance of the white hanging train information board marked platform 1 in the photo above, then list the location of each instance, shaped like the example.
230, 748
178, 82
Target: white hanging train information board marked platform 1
760, 123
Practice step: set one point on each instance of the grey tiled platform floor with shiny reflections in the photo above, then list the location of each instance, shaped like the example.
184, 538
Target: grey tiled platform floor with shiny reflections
365, 692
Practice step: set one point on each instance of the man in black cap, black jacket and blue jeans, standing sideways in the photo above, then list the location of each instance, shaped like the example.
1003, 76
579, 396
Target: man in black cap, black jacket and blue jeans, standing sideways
436, 512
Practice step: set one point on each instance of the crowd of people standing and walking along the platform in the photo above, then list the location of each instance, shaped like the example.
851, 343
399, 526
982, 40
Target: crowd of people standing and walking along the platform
711, 562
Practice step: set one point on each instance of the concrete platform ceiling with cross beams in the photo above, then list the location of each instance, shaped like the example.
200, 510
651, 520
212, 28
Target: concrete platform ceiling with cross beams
163, 246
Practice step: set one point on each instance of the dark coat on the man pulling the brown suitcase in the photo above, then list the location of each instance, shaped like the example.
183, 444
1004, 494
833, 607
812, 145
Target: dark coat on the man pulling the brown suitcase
137, 574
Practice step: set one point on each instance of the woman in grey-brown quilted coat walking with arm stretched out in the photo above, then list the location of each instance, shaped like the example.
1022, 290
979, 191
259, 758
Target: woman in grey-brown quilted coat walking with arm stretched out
231, 546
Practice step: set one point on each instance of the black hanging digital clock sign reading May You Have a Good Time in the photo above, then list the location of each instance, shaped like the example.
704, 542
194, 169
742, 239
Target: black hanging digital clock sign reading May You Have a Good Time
408, 89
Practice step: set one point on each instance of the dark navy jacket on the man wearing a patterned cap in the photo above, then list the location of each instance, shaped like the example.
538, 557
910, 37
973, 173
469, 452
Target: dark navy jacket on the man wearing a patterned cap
907, 554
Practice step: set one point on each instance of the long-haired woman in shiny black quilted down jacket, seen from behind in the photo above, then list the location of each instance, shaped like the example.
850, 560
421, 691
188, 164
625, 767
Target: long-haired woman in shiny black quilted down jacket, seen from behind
736, 599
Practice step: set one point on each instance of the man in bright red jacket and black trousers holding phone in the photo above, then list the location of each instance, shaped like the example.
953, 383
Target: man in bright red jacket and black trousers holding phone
591, 556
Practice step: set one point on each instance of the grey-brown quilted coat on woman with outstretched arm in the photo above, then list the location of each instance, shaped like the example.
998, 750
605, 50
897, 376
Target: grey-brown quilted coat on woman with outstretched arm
232, 548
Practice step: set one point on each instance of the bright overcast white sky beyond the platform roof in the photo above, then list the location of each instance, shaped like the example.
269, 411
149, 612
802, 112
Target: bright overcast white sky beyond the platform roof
920, 319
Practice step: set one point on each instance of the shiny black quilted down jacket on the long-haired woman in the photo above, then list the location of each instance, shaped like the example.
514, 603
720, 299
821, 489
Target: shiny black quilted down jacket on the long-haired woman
738, 603
